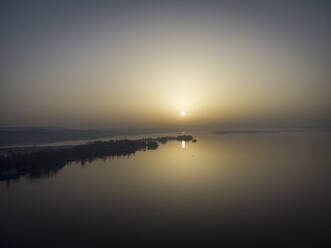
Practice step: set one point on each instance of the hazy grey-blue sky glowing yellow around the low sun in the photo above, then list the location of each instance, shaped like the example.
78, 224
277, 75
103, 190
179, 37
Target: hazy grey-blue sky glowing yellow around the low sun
91, 64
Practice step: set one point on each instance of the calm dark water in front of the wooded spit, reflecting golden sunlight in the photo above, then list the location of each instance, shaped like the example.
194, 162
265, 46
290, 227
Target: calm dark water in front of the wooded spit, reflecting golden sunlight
271, 190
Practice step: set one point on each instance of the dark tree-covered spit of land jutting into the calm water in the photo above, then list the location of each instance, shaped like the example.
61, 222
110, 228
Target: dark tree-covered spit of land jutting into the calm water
47, 160
